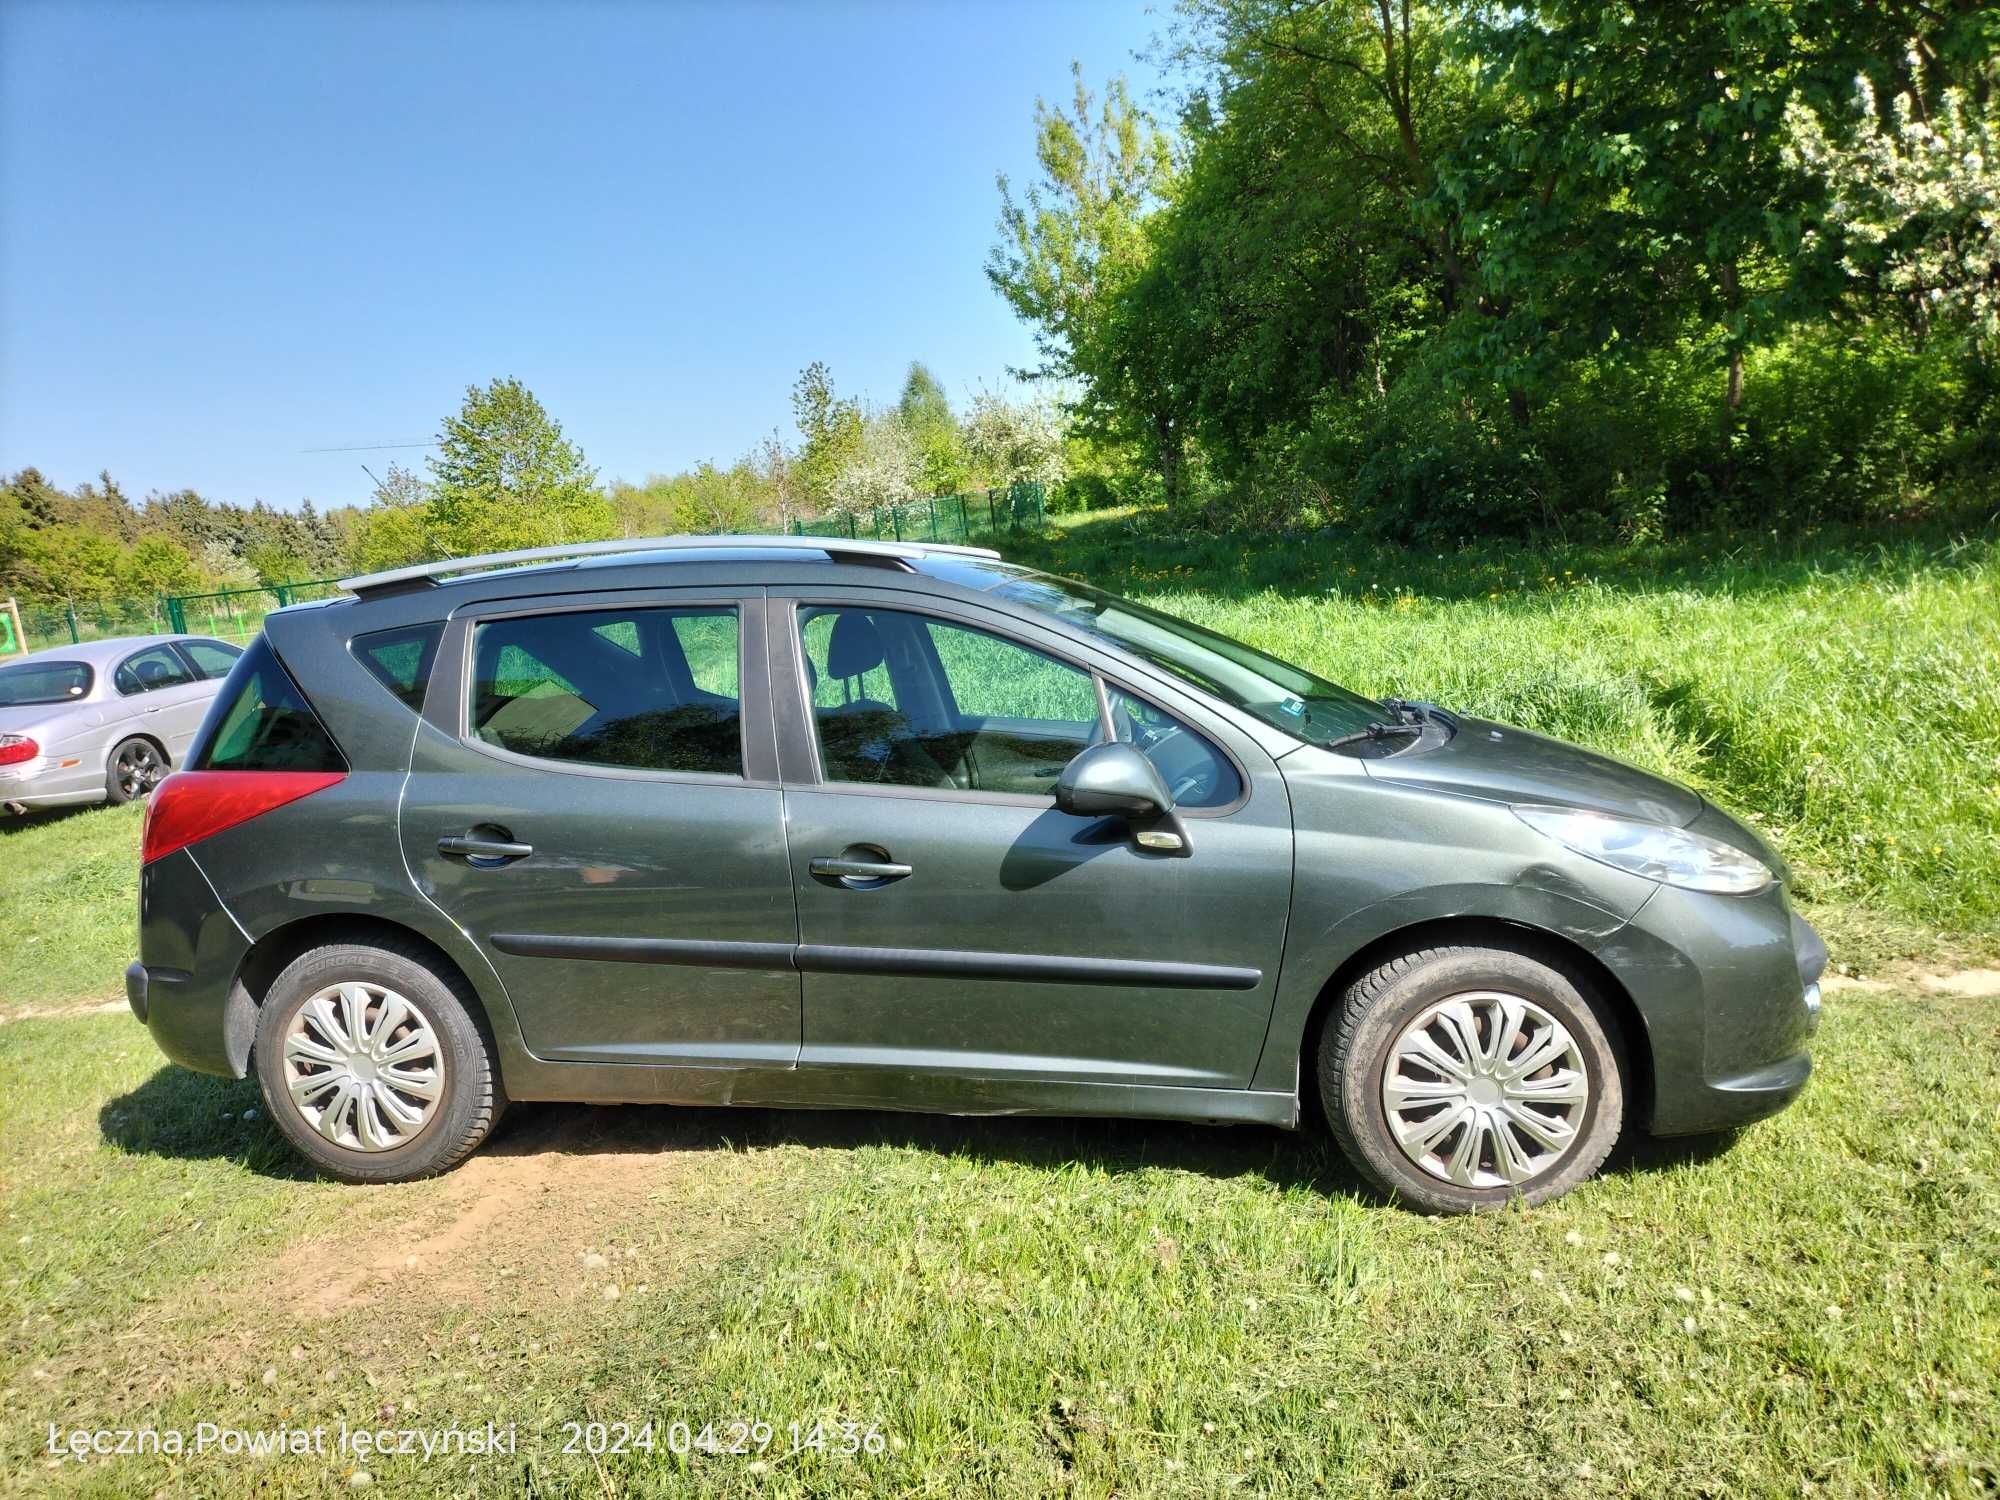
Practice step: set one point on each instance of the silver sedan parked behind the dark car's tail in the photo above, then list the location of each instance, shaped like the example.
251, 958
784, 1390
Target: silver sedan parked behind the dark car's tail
103, 721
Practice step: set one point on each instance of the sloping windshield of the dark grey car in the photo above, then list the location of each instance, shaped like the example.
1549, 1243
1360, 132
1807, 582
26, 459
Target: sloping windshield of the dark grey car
1285, 697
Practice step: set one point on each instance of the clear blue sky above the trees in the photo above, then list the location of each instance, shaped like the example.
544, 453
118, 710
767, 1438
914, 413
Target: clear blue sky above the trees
237, 233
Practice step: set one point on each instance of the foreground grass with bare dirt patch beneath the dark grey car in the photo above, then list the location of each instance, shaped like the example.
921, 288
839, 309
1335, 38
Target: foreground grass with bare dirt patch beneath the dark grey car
1023, 1307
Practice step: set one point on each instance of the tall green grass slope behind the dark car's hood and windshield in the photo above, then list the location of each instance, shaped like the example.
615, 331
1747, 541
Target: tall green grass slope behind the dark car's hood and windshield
1843, 695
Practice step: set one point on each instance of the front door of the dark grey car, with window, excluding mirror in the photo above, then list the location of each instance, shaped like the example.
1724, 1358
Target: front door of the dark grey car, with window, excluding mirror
953, 919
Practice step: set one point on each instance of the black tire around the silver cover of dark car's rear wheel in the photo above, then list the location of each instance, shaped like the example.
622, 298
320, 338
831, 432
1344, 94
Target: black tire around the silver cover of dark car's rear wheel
471, 1097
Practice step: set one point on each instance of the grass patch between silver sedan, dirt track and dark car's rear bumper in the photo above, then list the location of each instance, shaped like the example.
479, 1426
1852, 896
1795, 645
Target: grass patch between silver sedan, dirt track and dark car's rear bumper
69, 893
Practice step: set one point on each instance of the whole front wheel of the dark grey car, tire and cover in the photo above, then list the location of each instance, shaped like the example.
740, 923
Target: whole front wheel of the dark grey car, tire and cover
1461, 1079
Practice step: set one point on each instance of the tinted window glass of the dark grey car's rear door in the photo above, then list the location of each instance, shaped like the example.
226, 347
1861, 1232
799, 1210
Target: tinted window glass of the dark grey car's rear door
645, 689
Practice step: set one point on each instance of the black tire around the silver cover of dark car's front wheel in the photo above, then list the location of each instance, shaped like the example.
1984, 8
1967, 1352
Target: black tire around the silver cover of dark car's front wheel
1359, 1041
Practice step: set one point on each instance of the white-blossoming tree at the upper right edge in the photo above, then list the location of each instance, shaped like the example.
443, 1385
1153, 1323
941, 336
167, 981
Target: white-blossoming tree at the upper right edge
1915, 207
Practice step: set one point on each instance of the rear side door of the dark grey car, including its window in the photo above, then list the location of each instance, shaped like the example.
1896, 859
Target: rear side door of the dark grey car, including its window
593, 799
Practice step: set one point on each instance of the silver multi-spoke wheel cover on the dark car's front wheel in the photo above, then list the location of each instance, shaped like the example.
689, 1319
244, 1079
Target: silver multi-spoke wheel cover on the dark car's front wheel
1485, 1091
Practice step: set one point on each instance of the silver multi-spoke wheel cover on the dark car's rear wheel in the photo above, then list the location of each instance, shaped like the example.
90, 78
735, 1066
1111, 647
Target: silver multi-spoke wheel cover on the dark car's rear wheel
365, 1067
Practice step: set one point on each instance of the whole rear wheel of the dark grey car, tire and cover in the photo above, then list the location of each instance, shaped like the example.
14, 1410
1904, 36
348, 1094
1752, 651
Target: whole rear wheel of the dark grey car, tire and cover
375, 1067
